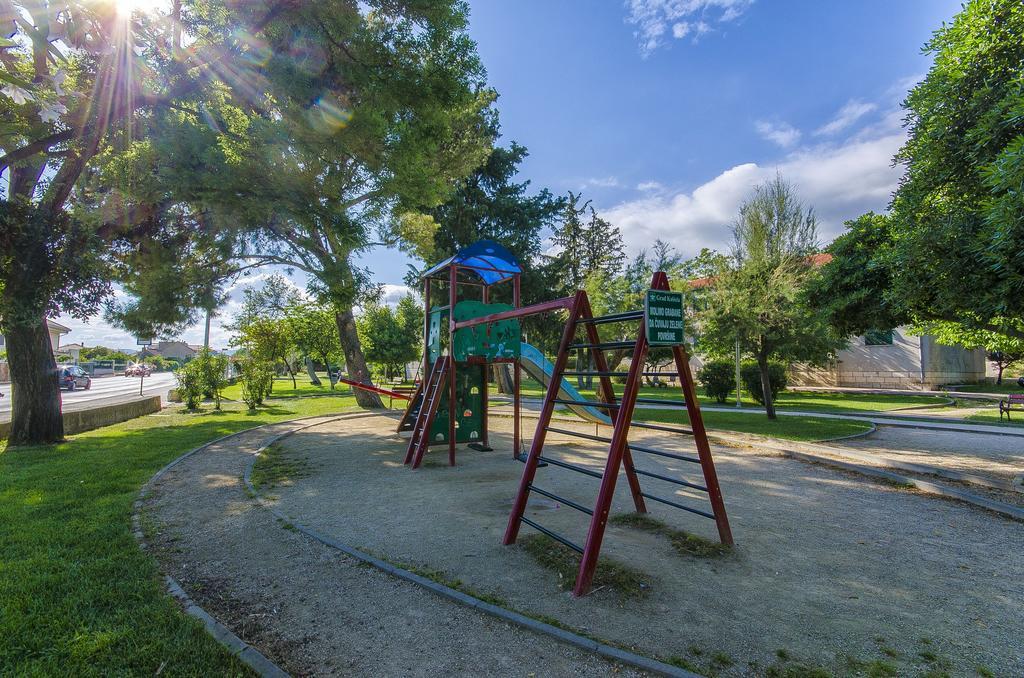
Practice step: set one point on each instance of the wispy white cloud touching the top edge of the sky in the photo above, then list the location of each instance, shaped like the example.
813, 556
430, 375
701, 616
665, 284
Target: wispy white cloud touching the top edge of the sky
654, 19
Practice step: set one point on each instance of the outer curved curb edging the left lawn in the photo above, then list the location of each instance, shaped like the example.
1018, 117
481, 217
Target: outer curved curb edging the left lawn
249, 655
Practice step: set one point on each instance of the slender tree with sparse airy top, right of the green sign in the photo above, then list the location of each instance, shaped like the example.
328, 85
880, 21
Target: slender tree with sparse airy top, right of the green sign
759, 301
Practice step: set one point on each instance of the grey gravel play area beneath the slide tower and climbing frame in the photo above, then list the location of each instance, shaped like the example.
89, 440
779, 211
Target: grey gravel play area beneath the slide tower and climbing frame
830, 569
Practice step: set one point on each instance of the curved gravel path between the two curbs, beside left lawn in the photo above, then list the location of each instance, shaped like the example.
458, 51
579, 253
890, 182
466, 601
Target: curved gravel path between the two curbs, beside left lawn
312, 610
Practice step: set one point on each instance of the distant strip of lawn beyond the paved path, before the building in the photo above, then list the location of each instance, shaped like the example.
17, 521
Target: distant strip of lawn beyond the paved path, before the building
830, 403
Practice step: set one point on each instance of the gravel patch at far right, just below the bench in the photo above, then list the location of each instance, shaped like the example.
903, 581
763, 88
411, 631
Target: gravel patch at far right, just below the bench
1000, 457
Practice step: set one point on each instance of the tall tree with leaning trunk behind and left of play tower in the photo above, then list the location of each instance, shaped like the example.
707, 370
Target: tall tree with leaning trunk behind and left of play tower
369, 133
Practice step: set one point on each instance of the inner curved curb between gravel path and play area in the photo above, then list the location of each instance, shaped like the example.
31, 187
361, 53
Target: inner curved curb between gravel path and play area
513, 617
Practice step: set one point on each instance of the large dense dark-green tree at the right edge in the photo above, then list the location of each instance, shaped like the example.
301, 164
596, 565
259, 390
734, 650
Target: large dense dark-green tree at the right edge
951, 248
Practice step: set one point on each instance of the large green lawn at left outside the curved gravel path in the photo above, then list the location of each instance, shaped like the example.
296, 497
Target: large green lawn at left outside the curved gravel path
78, 597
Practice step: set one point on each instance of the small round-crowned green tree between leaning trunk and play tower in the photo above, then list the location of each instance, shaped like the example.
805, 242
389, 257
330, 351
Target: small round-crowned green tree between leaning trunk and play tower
393, 337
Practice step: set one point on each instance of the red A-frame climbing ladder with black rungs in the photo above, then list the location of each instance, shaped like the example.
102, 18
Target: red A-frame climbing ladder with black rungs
620, 449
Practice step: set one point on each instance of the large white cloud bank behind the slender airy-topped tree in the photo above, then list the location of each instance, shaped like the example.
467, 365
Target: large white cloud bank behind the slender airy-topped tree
840, 182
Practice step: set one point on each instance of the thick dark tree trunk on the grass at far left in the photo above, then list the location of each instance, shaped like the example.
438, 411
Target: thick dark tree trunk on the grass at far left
36, 417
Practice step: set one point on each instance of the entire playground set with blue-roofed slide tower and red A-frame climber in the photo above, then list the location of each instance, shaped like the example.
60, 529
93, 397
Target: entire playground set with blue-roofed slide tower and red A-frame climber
464, 337
